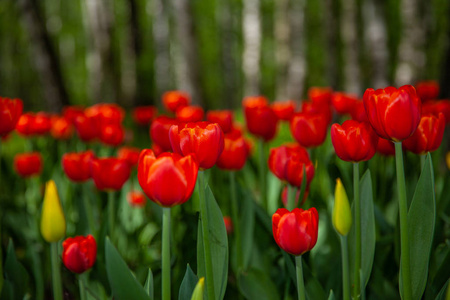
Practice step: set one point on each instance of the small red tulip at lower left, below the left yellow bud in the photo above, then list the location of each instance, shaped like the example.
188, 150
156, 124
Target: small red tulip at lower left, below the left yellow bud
79, 253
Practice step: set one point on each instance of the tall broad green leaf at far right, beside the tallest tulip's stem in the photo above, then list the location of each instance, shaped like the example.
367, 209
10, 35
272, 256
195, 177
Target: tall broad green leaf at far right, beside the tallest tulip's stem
421, 220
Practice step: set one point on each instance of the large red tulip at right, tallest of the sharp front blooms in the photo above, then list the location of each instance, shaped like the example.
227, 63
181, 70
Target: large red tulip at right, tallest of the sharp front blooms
393, 113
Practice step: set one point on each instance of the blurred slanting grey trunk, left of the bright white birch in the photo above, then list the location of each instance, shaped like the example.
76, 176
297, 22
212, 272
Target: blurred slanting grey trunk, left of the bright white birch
189, 73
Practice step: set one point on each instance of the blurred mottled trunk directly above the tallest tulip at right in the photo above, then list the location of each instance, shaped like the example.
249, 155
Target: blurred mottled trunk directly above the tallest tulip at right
411, 57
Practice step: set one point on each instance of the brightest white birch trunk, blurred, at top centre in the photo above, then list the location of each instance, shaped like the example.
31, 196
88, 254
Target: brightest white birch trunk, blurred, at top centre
252, 46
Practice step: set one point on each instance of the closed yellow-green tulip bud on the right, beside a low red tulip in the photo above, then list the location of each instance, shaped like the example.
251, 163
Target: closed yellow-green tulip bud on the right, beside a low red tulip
342, 214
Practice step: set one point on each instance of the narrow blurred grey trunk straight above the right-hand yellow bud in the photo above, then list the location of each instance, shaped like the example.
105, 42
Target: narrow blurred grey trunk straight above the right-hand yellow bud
352, 72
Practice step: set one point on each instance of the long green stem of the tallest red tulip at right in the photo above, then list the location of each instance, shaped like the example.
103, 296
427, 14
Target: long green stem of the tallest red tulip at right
403, 211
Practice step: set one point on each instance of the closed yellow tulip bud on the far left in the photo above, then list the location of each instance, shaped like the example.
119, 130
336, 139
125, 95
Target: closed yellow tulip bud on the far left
53, 223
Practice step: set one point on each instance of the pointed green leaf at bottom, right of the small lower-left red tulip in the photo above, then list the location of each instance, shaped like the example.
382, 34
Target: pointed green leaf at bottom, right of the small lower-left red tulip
123, 284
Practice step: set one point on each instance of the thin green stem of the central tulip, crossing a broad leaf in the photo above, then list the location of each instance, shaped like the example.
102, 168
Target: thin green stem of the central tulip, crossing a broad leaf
205, 232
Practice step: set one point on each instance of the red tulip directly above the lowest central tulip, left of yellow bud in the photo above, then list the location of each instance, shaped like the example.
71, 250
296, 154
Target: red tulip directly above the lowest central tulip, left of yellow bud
287, 162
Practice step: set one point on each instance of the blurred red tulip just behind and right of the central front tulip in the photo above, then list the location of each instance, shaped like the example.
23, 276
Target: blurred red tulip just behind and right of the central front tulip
235, 152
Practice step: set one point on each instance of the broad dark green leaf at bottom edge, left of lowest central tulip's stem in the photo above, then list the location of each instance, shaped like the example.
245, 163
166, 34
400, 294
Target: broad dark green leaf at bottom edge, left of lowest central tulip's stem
256, 284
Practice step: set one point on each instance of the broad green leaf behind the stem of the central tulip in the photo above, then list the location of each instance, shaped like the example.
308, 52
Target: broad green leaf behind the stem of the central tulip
218, 245
